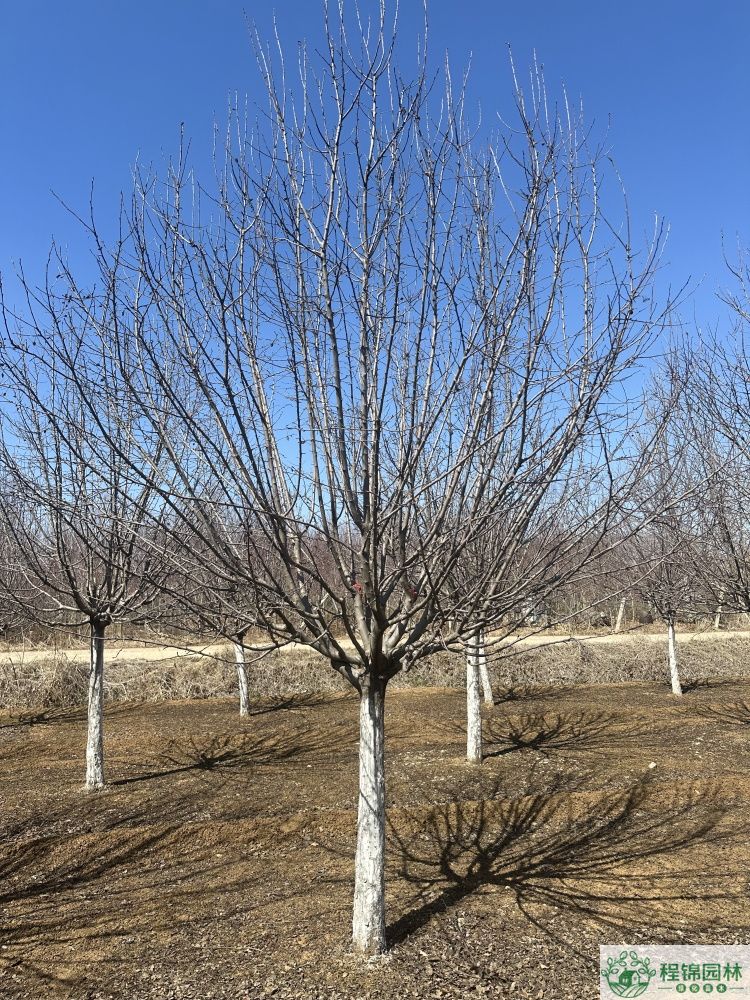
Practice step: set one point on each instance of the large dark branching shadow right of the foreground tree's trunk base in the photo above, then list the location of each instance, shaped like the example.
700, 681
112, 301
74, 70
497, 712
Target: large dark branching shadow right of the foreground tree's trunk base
558, 855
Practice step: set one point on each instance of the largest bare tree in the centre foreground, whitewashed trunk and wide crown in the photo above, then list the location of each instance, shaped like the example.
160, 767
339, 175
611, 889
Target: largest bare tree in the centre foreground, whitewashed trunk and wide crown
380, 343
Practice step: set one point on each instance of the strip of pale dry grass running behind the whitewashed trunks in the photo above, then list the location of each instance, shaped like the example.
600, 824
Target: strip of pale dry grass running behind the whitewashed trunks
59, 680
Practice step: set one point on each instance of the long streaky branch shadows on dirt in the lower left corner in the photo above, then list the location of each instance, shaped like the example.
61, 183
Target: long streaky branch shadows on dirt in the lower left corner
70, 905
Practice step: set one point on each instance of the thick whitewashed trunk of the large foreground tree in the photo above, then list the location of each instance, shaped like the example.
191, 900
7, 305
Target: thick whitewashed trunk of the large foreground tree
368, 925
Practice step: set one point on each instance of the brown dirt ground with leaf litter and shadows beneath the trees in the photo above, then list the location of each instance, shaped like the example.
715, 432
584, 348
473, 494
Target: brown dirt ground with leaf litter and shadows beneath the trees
218, 863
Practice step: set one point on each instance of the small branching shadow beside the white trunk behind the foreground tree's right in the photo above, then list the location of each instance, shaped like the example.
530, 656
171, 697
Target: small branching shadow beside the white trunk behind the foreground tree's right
545, 732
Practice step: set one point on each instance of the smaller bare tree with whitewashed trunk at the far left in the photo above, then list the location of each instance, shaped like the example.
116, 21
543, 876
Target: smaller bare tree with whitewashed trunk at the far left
75, 516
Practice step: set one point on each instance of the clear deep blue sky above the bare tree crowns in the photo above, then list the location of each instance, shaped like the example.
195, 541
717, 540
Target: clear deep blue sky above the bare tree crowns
86, 86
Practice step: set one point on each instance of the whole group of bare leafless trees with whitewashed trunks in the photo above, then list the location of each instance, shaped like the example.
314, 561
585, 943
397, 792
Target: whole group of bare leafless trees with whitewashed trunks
378, 391
